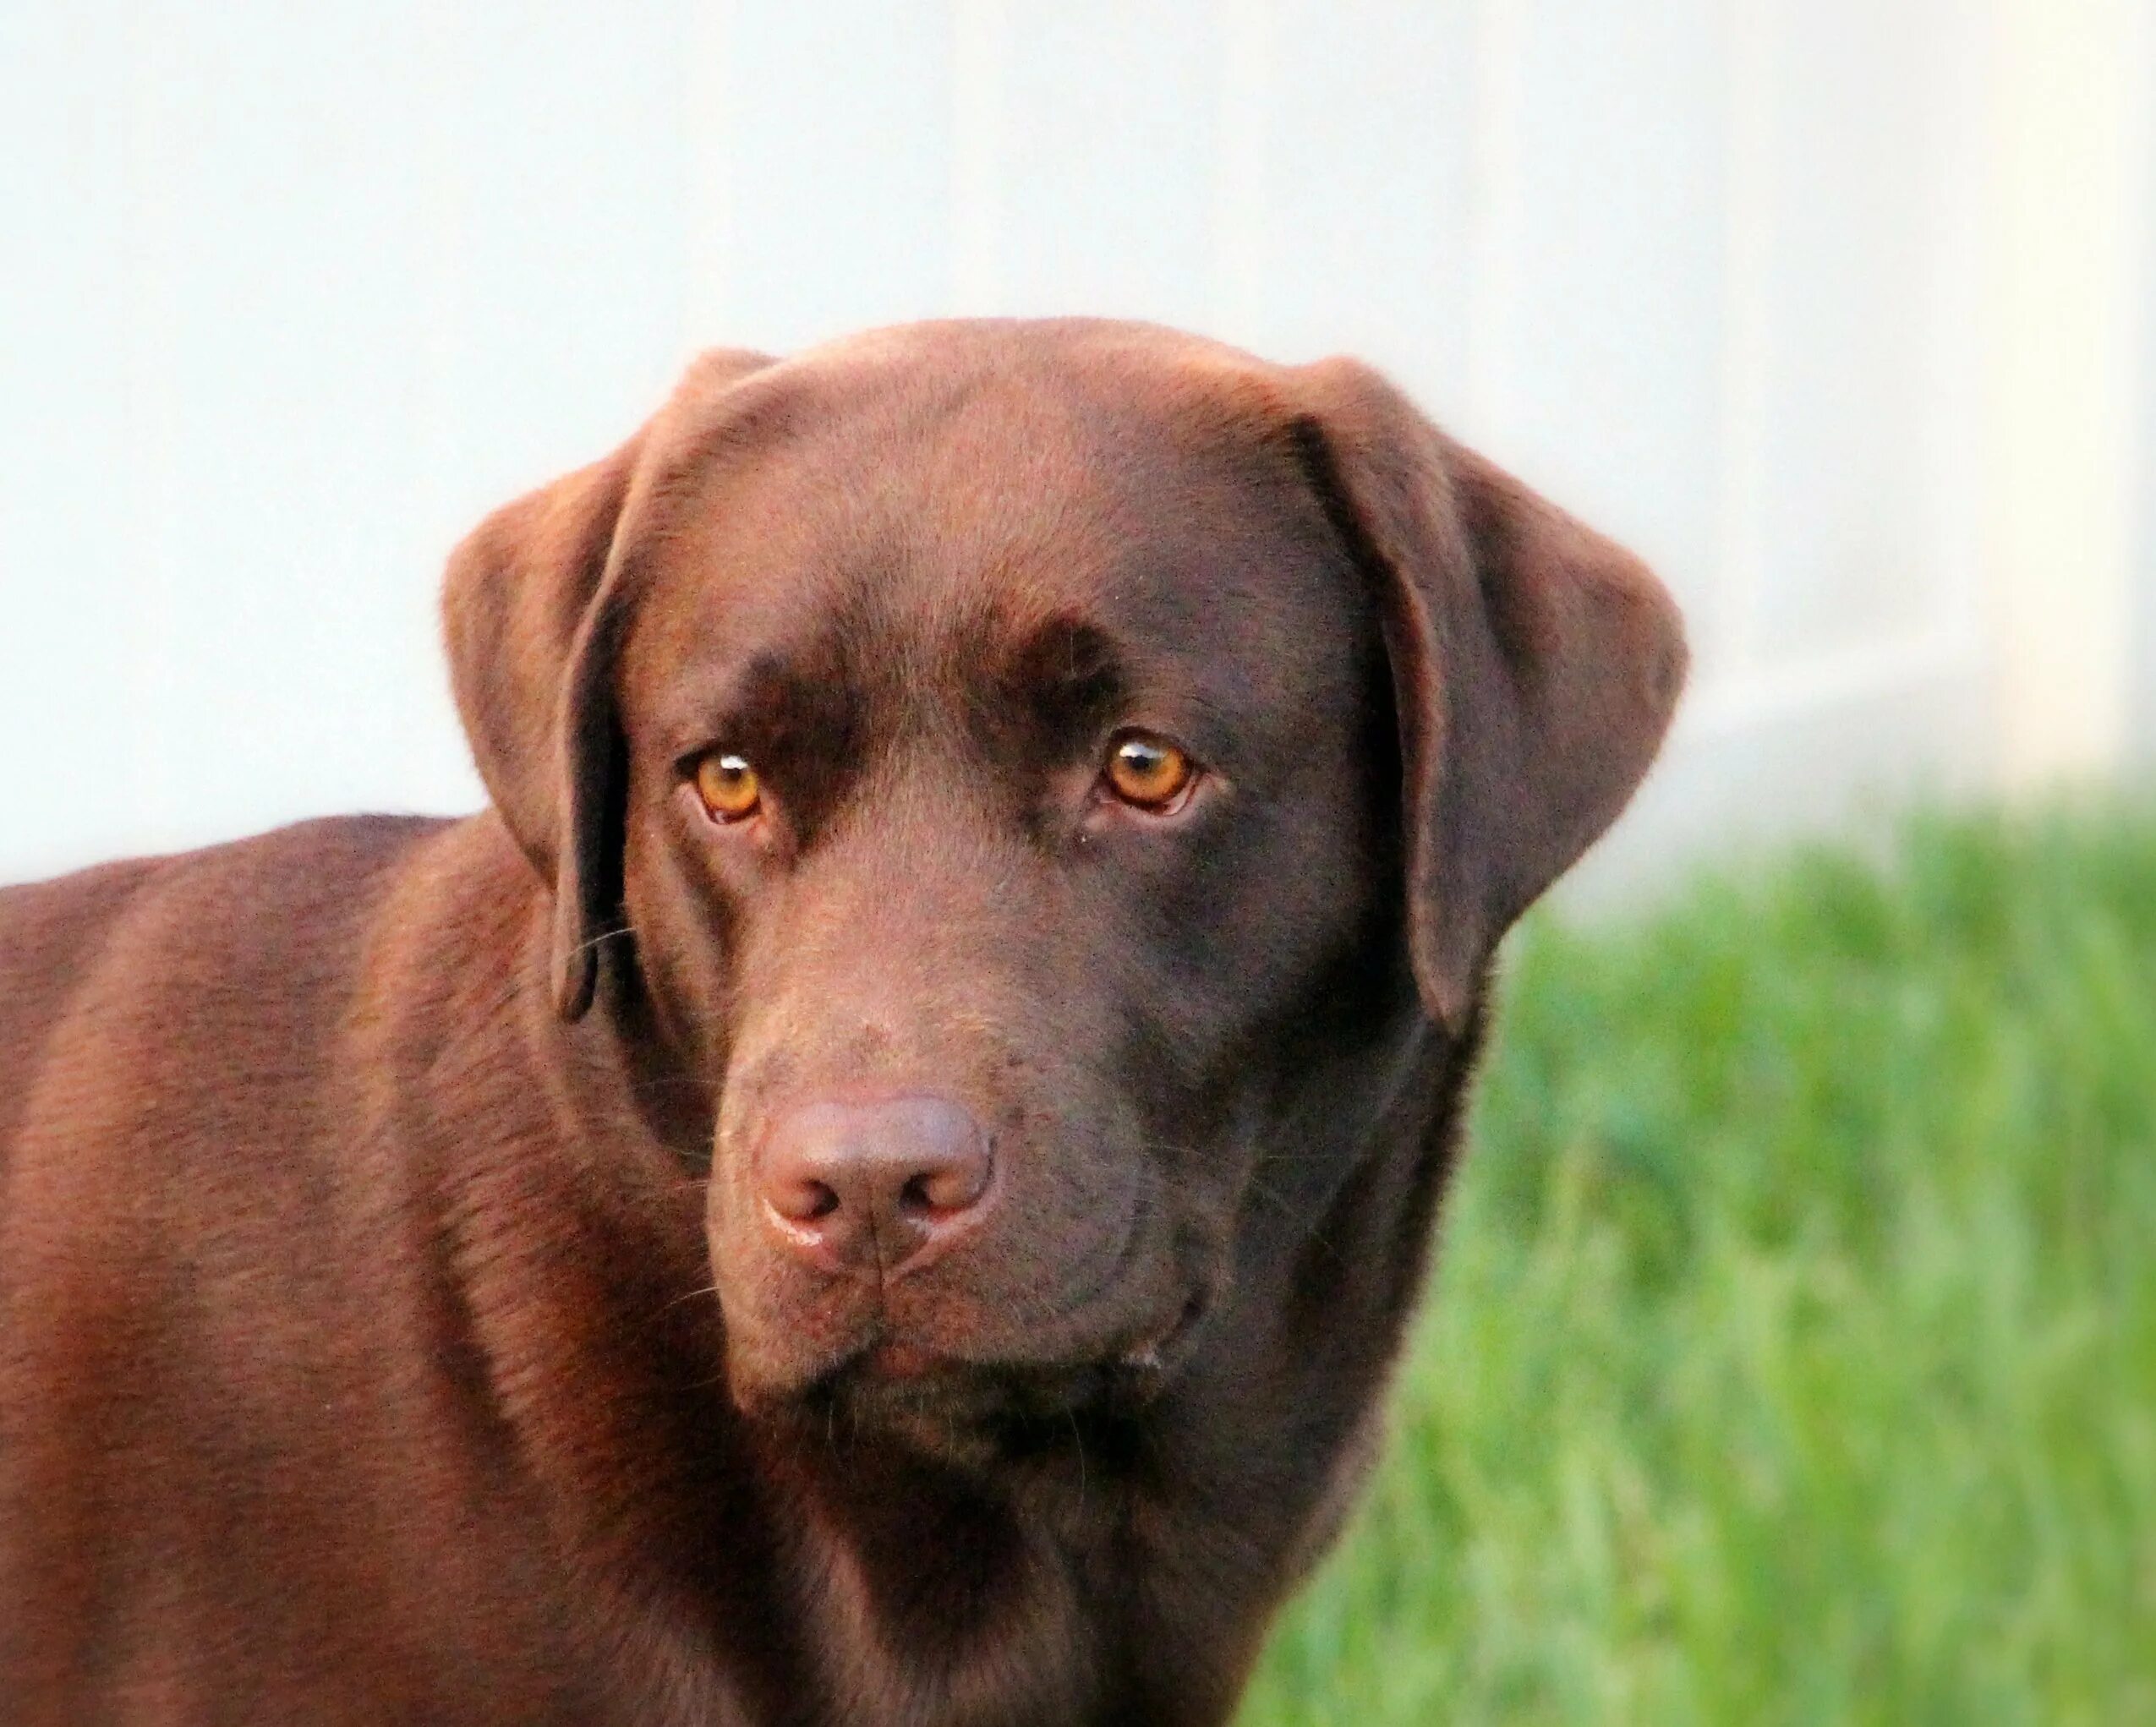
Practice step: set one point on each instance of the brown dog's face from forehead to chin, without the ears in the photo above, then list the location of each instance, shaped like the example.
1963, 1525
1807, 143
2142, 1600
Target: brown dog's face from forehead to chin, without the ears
1066, 814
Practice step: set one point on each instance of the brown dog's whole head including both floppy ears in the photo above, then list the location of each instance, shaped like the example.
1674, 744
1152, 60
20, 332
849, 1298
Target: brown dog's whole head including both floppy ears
1012, 754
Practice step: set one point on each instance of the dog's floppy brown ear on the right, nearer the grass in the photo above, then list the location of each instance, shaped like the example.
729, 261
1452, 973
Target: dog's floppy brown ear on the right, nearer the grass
1536, 667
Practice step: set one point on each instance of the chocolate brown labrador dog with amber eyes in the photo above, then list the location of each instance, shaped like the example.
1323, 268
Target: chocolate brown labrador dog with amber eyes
883, 1178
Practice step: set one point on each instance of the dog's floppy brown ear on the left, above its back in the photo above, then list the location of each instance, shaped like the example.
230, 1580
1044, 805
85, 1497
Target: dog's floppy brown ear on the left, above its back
531, 616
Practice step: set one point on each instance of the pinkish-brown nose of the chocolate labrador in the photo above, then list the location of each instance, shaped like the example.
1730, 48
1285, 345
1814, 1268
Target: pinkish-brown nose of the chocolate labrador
876, 1185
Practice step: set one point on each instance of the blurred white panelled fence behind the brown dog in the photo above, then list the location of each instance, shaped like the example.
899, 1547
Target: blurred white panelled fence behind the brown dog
1829, 307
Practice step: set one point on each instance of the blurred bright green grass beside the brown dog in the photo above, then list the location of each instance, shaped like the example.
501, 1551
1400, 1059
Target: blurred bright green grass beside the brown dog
1793, 1351
